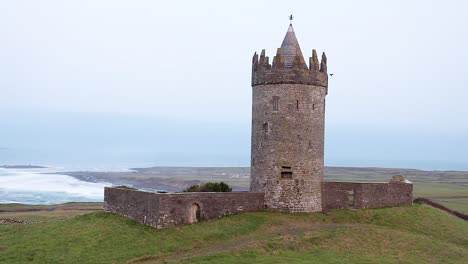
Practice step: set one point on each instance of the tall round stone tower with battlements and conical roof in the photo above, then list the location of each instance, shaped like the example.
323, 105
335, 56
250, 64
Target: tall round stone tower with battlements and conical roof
288, 120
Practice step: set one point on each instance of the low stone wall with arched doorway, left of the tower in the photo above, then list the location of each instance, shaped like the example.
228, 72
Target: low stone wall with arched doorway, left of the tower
169, 209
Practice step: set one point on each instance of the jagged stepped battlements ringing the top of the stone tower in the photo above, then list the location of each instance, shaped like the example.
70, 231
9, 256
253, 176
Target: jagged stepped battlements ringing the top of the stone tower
295, 72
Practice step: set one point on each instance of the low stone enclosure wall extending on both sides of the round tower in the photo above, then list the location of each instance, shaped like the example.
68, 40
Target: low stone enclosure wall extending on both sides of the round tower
169, 209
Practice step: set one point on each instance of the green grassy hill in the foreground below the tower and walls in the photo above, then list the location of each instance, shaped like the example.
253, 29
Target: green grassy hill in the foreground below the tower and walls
413, 234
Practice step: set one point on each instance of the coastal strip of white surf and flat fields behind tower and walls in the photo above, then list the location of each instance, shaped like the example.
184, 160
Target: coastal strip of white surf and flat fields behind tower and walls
26, 186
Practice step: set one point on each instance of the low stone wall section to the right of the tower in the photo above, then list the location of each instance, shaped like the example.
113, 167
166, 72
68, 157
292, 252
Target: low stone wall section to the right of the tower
336, 195
